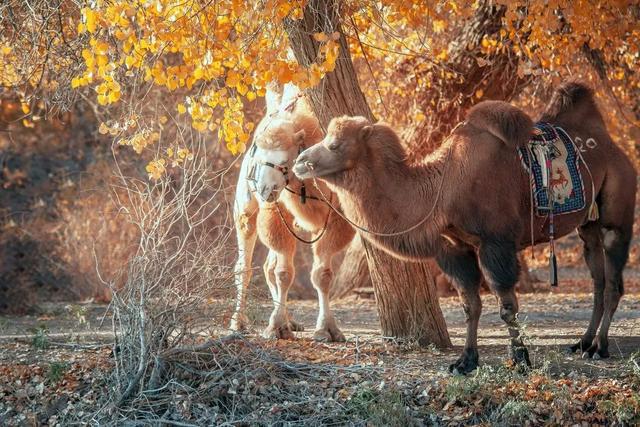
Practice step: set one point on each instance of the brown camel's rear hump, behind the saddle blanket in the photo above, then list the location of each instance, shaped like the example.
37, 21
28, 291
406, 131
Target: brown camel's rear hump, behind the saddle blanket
572, 97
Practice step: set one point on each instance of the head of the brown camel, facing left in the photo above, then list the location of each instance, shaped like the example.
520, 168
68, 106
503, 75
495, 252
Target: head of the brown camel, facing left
338, 152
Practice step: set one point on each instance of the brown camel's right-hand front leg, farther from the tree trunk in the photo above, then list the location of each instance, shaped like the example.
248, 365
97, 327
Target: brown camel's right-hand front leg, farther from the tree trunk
499, 263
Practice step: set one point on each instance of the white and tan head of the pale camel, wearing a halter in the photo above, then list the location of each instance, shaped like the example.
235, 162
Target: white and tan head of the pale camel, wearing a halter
275, 147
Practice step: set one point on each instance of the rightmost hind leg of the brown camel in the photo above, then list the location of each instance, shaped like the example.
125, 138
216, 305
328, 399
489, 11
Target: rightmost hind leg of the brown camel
616, 251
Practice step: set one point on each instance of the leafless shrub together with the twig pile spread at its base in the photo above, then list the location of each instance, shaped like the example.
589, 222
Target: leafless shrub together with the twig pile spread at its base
172, 363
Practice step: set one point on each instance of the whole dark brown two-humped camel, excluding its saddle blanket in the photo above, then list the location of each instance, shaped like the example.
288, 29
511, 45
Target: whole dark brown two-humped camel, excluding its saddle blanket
476, 196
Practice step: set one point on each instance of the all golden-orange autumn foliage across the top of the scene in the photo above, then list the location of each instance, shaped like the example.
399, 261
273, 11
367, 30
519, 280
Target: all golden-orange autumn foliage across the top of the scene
218, 56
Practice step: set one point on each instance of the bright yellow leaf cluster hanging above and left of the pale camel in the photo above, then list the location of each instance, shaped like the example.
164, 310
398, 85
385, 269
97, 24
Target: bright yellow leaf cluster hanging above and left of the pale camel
220, 54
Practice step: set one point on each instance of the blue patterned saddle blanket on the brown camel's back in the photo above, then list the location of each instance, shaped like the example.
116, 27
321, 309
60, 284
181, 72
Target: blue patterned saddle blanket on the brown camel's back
551, 160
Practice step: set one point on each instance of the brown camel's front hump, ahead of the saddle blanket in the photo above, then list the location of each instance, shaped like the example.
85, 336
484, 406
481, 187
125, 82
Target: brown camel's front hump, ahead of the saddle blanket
504, 121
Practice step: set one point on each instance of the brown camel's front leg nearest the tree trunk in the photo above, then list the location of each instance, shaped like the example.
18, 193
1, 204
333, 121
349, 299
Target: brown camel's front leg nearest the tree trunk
463, 271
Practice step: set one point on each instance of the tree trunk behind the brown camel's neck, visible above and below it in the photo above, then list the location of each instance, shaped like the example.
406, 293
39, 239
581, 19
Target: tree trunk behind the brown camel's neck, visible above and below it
405, 292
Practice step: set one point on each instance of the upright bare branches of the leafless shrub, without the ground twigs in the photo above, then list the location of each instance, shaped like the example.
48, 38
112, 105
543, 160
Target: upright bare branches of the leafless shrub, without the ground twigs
176, 271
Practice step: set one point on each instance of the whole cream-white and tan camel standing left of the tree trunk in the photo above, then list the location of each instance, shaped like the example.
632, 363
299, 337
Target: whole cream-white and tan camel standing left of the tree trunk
288, 127
